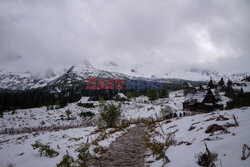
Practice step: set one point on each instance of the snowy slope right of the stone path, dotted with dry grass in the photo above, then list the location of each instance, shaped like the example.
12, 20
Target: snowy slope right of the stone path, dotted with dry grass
228, 146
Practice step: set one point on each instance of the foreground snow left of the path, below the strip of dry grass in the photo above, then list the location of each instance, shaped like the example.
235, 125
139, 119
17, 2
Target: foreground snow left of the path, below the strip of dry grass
17, 149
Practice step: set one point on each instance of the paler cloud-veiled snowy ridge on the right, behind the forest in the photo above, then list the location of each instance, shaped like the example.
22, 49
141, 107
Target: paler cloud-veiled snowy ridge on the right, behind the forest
193, 73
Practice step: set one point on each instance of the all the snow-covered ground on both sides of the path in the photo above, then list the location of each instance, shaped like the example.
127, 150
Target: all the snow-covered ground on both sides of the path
16, 148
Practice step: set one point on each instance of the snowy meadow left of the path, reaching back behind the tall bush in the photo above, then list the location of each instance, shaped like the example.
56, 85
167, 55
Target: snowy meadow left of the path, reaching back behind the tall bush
16, 149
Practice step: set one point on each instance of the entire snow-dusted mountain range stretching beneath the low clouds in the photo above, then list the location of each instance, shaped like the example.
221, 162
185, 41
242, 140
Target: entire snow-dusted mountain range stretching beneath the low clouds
27, 80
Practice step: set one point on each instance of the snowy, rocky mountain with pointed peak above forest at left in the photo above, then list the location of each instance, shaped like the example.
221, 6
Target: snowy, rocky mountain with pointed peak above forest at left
22, 81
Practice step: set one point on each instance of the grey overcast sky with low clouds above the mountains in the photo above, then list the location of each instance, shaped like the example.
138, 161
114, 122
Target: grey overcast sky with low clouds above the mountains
156, 35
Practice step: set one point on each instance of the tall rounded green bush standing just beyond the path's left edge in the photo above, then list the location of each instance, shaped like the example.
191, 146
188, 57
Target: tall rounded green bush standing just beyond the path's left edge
110, 113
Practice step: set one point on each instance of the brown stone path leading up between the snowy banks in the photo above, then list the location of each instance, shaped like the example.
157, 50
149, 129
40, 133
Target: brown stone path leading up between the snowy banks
127, 150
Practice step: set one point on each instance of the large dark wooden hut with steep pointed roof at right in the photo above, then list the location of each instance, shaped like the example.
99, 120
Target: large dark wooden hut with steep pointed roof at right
202, 102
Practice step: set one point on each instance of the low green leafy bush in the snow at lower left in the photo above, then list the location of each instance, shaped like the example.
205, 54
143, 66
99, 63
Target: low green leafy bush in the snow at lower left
45, 150
